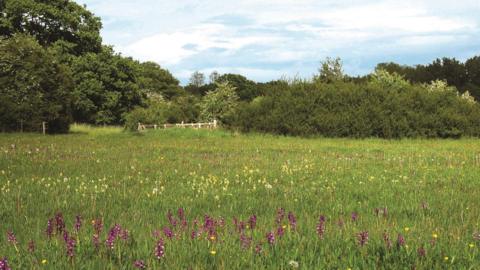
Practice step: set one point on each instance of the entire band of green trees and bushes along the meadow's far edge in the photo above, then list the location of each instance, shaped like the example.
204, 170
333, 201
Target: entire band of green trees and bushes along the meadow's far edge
54, 68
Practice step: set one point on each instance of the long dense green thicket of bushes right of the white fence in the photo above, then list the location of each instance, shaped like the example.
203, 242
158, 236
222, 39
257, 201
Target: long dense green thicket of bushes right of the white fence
386, 107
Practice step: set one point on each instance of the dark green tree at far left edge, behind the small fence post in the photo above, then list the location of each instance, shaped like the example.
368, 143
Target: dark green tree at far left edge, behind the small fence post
34, 88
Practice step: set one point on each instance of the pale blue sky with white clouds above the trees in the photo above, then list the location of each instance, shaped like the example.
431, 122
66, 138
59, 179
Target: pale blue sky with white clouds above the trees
267, 39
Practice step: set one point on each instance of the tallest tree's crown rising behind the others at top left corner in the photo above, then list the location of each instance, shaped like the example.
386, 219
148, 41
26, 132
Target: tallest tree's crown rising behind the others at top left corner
52, 21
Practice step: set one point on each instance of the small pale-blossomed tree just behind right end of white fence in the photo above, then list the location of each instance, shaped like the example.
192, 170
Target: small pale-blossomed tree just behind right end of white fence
220, 104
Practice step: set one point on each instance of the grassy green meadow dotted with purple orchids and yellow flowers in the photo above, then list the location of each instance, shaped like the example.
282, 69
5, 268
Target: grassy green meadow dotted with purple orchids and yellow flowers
190, 199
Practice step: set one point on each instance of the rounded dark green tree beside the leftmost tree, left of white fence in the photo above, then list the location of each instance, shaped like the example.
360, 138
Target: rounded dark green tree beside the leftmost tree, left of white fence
105, 87
